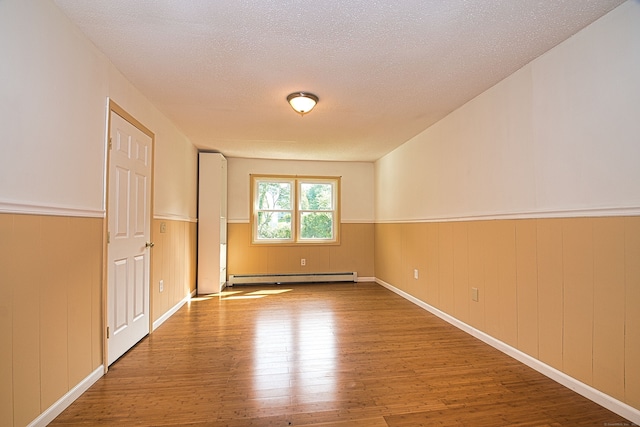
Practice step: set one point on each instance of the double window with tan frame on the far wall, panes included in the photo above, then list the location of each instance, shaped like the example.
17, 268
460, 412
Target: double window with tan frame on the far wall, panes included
295, 210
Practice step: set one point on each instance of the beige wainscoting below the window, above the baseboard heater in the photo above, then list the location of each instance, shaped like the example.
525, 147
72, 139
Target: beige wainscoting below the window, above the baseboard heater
354, 253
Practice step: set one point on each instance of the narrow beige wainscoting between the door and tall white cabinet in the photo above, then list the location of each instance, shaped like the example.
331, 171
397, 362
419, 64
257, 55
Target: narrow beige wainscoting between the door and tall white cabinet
174, 262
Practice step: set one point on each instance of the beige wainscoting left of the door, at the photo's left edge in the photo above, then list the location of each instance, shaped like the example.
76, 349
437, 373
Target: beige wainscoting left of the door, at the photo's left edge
50, 310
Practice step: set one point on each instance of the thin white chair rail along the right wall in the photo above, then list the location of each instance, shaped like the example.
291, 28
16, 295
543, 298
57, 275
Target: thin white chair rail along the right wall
568, 213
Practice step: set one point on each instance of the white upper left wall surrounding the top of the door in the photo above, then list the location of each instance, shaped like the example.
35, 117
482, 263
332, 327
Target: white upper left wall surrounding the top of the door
54, 85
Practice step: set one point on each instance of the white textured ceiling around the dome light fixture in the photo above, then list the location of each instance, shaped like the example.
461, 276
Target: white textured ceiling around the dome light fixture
384, 70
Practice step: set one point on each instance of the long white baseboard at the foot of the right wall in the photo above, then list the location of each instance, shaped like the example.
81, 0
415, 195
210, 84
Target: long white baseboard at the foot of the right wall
630, 413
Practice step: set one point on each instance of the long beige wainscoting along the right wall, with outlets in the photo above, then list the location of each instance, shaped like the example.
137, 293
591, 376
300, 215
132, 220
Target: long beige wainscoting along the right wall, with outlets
565, 291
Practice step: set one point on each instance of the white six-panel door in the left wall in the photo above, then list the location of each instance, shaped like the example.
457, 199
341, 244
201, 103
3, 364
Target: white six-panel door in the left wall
129, 231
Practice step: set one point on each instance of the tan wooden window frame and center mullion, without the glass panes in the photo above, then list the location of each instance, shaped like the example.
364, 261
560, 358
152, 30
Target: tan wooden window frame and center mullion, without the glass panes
296, 181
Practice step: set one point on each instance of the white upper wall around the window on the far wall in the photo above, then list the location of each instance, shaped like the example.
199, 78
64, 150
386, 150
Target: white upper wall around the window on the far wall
356, 184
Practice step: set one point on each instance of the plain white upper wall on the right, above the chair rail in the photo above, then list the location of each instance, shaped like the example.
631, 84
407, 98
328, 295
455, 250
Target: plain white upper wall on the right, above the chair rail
561, 136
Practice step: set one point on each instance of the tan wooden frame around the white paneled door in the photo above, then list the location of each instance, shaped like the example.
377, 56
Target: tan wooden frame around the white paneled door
114, 108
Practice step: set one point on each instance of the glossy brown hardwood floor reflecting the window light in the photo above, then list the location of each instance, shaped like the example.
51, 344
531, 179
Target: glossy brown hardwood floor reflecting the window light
322, 355
